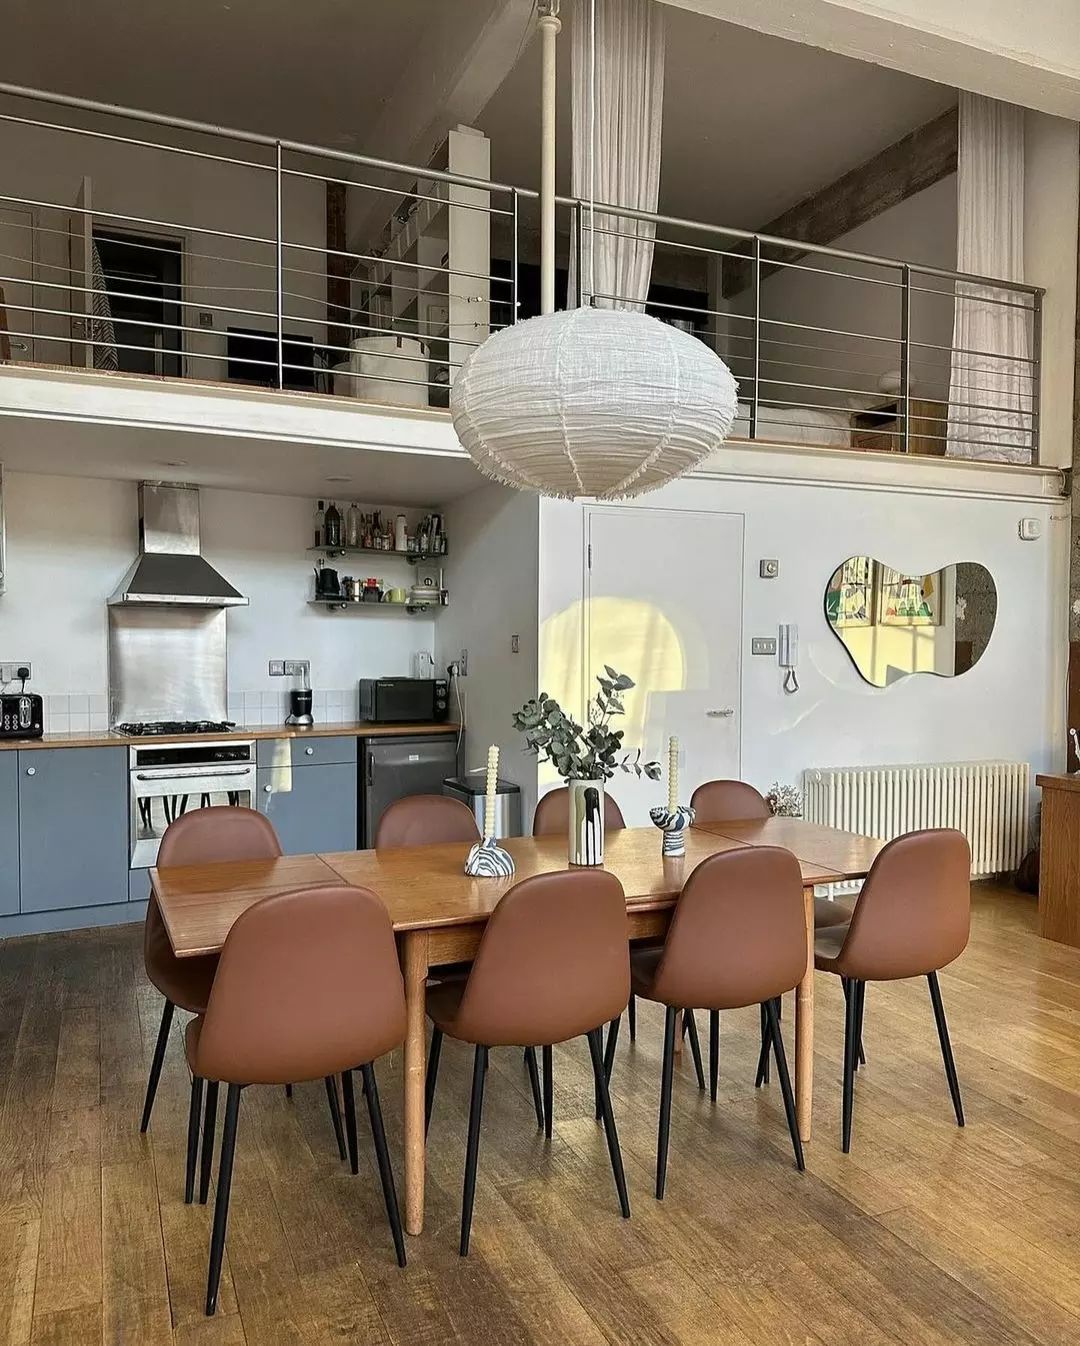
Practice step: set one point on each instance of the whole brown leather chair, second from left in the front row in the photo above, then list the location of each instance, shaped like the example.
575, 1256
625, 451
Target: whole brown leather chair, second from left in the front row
576, 923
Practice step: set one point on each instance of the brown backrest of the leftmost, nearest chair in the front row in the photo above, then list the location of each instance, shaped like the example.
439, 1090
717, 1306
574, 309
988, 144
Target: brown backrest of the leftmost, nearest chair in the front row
308, 986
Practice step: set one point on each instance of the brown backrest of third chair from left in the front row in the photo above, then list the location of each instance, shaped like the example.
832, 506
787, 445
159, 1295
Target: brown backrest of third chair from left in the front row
739, 935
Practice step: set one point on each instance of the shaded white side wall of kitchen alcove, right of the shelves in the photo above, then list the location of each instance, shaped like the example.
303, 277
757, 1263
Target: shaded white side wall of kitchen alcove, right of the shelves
492, 574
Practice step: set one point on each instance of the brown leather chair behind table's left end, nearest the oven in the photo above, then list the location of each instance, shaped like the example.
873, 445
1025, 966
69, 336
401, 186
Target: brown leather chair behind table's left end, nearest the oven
201, 838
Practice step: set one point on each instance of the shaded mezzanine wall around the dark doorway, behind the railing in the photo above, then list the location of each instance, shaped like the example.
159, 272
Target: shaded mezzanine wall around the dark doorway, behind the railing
48, 166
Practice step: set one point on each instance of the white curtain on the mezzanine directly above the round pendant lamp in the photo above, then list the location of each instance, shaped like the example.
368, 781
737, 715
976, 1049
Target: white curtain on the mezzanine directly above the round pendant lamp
617, 259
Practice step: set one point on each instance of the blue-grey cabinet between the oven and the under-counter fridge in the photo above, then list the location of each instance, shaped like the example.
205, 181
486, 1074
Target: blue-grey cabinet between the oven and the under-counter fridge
310, 799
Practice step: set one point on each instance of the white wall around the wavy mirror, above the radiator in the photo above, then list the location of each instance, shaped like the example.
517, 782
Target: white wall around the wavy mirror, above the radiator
1009, 706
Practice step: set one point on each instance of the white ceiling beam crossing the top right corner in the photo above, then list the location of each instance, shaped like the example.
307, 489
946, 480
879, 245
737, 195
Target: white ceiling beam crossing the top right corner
1027, 55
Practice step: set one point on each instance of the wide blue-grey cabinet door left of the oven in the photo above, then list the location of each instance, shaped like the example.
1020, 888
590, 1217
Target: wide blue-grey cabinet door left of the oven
73, 827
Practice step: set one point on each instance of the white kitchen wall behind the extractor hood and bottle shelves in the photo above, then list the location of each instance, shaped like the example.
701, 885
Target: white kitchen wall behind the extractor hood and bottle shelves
71, 540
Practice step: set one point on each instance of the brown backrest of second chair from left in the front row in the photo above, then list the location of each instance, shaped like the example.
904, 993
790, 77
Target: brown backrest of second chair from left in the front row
554, 962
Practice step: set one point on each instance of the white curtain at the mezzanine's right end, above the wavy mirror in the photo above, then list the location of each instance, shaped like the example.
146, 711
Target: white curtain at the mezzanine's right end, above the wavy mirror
990, 394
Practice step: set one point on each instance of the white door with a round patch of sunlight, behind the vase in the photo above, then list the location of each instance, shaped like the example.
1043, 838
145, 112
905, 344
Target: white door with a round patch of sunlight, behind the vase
665, 606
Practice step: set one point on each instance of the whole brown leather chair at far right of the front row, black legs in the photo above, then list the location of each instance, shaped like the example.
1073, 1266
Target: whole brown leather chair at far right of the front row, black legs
912, 919
